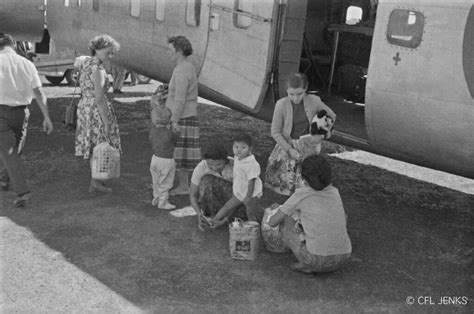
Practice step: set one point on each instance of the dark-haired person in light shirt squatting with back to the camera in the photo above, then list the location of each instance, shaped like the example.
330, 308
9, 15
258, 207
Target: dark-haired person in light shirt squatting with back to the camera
313, 221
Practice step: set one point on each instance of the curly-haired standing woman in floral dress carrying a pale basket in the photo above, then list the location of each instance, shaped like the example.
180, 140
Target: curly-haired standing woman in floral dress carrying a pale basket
96, 120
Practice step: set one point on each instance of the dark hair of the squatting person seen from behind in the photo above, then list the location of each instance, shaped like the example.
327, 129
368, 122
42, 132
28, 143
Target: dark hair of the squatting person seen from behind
316, 170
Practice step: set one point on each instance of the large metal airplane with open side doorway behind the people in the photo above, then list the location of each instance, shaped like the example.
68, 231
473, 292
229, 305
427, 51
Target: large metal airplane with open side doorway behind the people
413, 60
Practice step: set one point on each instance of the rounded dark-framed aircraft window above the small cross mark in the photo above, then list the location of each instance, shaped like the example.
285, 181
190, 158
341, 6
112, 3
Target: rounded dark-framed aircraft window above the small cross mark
405, 28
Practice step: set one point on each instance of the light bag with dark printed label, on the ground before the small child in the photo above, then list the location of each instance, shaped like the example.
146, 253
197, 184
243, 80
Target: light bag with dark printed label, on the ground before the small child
244, 238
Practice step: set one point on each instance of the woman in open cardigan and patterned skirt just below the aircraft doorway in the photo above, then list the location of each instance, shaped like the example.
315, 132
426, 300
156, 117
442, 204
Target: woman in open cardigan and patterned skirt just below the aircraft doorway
291, 119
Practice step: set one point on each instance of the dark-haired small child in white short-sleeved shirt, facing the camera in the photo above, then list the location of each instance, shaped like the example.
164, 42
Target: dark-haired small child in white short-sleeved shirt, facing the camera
247, 185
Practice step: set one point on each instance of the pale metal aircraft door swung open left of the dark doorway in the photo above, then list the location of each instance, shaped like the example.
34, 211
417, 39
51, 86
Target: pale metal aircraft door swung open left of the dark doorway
238, 58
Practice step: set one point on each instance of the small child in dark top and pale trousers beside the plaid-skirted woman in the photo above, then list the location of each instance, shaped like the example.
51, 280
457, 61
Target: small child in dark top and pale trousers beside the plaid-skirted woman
162, 165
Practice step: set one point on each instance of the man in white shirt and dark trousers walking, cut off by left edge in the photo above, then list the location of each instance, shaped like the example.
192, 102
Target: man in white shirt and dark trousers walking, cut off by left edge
19, 83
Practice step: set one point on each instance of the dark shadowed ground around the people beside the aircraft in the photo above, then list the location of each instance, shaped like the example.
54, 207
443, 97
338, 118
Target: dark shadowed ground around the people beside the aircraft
409, 237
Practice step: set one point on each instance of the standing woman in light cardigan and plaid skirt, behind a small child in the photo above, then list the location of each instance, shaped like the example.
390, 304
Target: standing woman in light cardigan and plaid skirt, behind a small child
182, 101
